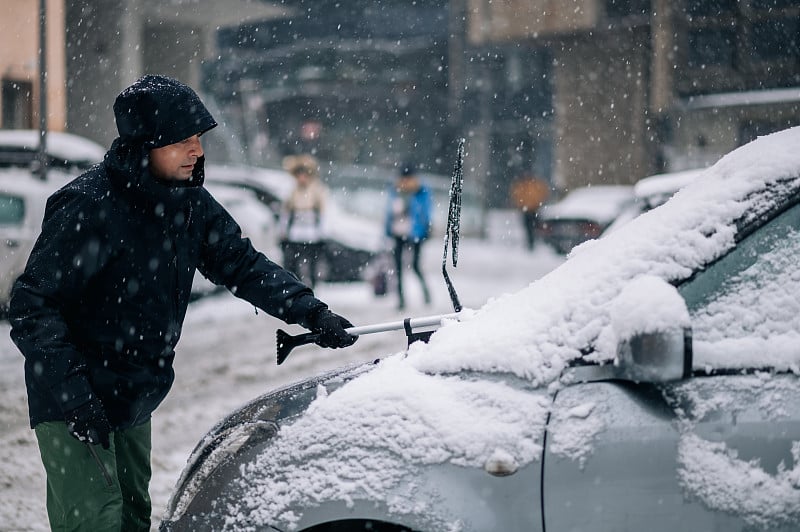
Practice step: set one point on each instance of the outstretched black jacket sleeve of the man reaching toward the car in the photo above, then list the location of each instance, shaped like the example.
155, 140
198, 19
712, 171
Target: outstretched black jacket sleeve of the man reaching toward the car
229, 259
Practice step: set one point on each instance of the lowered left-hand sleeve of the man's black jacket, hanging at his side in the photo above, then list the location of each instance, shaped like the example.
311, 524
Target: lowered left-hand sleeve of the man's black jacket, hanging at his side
66, 255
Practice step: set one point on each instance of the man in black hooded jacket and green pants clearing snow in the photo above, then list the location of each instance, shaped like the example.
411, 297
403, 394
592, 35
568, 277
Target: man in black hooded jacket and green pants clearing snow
99, 309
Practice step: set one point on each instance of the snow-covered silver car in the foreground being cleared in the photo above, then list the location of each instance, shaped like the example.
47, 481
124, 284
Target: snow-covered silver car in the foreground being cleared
649, 382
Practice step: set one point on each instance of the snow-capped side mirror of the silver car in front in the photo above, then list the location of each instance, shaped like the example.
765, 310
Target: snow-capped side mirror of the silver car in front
653, 329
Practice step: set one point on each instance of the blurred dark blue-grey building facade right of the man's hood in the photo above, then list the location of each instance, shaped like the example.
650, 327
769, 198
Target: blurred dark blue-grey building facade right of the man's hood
357, 82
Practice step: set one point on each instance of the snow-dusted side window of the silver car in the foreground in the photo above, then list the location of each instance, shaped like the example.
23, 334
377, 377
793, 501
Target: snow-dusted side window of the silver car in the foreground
750, 299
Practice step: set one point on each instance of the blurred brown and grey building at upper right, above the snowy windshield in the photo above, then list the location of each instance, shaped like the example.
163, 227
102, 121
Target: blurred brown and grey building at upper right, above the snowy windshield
638, 86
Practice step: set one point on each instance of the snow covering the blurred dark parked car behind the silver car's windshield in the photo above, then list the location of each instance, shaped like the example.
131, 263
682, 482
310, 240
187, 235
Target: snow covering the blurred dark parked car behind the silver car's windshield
601, 203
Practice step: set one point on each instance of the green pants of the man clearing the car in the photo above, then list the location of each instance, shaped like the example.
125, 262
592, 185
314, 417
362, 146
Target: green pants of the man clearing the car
82, 494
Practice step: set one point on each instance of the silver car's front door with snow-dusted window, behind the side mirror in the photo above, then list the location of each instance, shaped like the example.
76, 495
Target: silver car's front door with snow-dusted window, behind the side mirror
717, 451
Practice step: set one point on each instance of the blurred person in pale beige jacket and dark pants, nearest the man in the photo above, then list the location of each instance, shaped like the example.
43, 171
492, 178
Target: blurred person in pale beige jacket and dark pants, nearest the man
302, 219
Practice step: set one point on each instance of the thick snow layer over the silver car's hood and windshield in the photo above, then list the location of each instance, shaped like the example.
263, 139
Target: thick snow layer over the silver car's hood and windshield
424, 408
